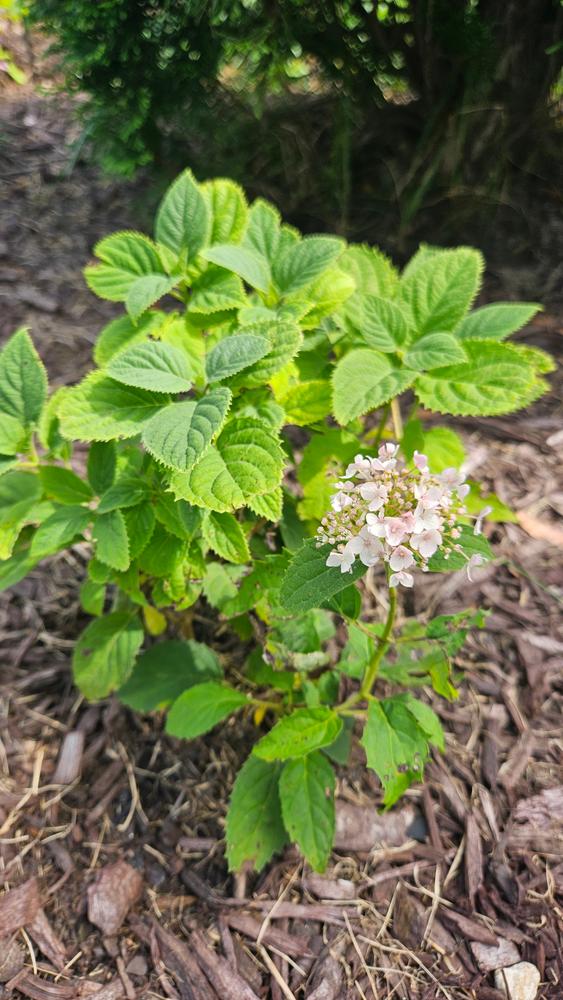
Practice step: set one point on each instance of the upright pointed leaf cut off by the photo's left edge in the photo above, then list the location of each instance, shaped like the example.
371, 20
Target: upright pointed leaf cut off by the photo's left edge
23, 382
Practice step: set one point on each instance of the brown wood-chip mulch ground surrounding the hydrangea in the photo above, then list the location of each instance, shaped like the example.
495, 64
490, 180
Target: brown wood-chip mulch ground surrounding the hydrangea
463, 877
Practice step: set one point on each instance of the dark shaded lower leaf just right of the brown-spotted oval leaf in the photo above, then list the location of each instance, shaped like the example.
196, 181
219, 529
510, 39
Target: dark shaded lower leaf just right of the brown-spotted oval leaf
167, 669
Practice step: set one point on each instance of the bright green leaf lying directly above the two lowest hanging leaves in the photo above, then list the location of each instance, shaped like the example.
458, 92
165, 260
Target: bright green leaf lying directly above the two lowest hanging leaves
295, 735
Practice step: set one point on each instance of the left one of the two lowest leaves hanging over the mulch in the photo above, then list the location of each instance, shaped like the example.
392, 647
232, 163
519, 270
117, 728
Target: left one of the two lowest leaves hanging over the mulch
254, 828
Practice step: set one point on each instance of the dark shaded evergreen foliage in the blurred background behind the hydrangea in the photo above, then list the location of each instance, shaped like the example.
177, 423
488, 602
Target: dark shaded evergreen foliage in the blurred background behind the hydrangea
353, 115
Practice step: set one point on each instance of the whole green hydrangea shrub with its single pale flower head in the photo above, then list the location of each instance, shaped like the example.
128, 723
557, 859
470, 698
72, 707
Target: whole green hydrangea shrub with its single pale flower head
247, 448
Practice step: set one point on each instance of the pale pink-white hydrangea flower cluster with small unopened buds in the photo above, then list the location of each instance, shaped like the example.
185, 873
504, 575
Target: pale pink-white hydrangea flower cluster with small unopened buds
384, 511
